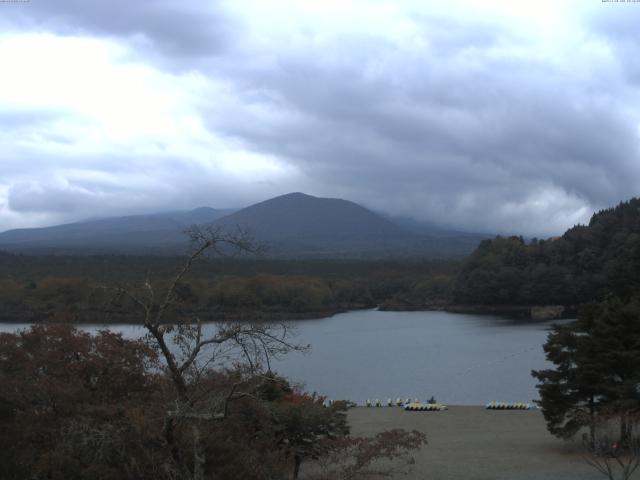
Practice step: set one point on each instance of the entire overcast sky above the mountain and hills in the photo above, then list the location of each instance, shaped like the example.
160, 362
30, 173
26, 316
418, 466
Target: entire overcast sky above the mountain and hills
496, 116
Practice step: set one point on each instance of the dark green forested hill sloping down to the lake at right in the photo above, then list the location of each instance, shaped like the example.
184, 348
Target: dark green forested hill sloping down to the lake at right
583, 265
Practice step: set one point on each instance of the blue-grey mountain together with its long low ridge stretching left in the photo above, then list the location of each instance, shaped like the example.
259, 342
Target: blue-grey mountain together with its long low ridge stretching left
295, 225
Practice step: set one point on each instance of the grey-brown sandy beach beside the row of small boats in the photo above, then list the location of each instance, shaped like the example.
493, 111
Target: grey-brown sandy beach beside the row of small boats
472, 443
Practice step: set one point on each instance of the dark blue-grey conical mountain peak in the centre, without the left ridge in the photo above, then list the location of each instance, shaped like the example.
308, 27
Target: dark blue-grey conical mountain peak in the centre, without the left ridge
303, 226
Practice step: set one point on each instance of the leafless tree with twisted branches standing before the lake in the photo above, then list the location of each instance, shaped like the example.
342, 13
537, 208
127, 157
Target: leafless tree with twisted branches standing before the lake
191, 349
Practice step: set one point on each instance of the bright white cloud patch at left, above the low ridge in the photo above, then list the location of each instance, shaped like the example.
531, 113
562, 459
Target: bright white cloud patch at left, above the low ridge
115, 137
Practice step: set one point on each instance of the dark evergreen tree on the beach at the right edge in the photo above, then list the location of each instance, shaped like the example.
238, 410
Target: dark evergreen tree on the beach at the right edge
597, 369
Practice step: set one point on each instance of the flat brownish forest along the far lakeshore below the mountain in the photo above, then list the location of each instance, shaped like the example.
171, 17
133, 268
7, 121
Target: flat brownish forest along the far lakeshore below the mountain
82, 289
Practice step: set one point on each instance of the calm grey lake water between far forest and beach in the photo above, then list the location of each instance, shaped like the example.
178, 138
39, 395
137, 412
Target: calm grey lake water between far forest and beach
459, 359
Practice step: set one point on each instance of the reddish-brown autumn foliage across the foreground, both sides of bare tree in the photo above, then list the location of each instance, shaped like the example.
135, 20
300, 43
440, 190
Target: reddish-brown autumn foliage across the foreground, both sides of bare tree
80, 406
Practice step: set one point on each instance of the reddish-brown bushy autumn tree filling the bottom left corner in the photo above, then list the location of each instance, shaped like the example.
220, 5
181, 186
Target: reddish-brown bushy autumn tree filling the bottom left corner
72, 403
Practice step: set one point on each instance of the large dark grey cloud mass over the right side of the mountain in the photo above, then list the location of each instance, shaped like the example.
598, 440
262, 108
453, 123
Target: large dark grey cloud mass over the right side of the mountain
442, 125
